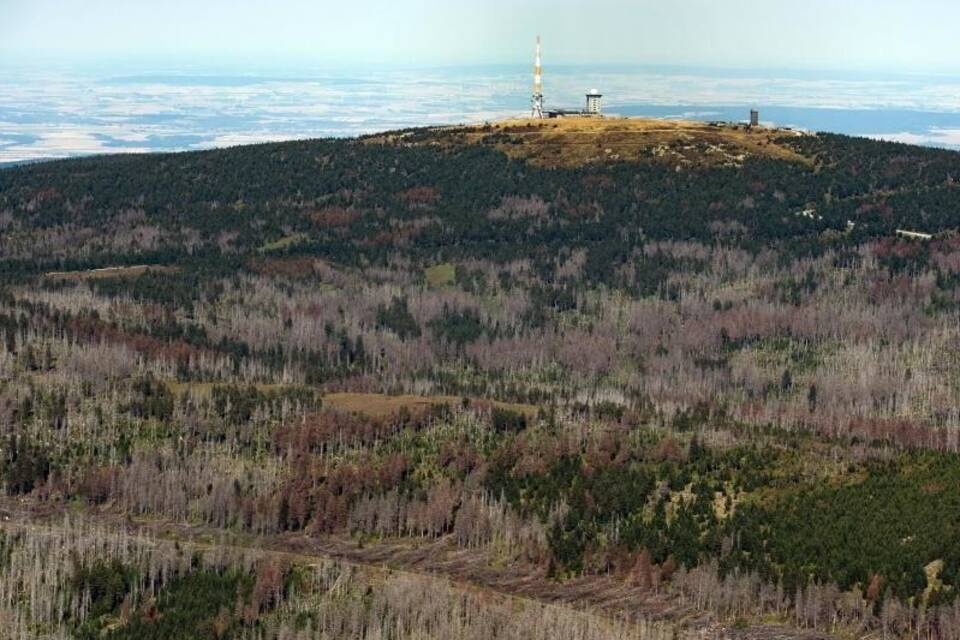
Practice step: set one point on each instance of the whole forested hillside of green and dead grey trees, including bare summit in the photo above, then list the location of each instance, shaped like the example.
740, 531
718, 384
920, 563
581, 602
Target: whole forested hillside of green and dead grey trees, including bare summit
672, 380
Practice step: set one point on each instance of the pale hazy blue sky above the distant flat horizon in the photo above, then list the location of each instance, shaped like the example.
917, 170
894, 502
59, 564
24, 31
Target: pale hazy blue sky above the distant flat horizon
879, 35
